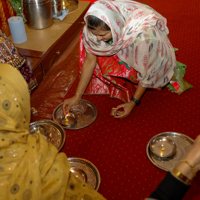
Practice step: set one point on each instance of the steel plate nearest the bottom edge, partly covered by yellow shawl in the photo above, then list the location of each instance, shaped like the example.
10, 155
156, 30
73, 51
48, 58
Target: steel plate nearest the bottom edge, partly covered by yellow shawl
86, 171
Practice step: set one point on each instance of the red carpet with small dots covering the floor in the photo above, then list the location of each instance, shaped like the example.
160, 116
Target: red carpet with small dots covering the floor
118, 147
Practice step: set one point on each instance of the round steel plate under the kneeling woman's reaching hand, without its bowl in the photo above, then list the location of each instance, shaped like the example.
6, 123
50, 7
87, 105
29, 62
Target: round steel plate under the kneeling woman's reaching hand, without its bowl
85, 112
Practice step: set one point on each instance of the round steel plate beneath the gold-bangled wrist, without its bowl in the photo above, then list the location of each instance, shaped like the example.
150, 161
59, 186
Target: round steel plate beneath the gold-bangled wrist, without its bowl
183, 145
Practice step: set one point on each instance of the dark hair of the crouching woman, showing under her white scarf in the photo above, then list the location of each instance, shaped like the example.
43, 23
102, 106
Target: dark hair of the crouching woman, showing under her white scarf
94, 22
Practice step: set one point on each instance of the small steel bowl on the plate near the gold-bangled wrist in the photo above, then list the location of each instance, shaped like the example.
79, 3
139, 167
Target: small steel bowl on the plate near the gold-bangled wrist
162, 147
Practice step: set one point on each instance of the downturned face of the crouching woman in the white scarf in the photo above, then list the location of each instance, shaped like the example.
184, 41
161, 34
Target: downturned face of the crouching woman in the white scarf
102, 35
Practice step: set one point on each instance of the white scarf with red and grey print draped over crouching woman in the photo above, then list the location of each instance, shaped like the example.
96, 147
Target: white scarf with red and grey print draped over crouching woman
140, 39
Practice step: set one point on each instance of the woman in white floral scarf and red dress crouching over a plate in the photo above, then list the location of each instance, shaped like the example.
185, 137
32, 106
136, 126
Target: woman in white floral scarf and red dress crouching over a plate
123, 45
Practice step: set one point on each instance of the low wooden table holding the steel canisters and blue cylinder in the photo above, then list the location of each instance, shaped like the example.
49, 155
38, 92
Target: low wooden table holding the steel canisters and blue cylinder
45, 46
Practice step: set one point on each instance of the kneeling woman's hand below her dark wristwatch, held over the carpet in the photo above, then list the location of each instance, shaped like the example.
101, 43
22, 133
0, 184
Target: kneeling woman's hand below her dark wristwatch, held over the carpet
128, 107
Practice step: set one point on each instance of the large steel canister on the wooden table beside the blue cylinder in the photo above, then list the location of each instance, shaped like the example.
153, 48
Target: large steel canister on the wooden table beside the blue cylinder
38, 13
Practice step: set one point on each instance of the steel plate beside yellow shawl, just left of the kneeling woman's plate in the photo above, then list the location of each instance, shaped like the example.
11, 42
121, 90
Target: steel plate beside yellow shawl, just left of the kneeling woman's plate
56, 134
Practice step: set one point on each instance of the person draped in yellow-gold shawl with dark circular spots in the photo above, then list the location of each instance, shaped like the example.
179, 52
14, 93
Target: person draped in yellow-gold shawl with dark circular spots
31, 168
